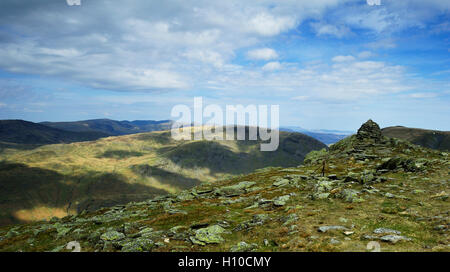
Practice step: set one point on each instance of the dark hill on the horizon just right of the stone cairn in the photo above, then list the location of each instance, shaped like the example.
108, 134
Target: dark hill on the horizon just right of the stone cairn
433, 139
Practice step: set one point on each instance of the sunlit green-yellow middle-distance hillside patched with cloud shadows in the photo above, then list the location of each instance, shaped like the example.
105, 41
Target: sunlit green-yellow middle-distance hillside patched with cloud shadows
56, 180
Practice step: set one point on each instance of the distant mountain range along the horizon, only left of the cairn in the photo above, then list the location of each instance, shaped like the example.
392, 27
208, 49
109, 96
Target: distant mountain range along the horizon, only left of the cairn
24, 132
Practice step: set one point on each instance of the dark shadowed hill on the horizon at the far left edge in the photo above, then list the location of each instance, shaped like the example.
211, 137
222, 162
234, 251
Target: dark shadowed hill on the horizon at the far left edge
23, 132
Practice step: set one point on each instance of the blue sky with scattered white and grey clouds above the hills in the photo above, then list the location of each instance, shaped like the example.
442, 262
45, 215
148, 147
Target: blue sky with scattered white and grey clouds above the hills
328, 64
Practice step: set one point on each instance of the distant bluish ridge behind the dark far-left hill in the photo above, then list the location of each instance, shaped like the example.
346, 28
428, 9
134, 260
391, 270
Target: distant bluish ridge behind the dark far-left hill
112, 127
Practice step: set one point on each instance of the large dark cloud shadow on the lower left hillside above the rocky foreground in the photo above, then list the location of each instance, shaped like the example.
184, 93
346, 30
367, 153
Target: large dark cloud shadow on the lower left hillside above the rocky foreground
26, 188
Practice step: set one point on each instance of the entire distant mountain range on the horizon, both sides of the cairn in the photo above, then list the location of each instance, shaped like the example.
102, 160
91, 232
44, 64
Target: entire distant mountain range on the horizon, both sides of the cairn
24, 132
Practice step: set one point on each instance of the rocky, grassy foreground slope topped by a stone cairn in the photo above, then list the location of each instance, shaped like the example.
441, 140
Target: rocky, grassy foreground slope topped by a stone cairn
367, 188
